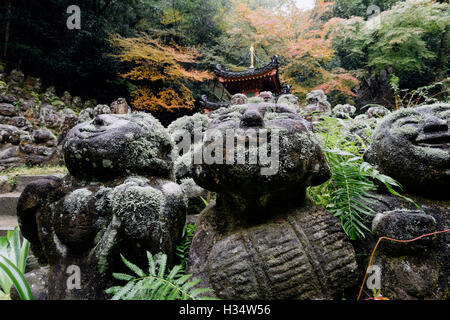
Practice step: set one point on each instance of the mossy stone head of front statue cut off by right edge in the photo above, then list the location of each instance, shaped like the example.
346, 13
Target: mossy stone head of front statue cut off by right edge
413, 146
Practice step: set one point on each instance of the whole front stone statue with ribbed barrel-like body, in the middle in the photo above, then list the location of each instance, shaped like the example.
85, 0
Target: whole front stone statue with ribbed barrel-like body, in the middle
264, 239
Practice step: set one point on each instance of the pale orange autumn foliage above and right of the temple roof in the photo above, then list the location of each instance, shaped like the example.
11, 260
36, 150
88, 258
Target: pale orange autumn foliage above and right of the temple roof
299, 38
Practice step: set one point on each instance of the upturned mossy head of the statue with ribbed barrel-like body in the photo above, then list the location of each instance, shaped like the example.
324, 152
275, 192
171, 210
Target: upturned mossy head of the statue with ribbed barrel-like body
293, 153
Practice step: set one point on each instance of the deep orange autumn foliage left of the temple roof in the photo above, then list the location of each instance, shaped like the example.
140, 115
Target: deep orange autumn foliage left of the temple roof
160, 73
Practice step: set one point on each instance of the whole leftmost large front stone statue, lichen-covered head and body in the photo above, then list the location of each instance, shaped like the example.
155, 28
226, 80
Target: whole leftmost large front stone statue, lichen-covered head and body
119, 198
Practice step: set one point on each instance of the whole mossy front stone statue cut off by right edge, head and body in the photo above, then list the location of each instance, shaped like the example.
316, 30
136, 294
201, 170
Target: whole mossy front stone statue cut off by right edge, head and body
413, 146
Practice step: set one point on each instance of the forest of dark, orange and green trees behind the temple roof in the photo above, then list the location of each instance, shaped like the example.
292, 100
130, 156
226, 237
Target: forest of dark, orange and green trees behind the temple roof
161, 54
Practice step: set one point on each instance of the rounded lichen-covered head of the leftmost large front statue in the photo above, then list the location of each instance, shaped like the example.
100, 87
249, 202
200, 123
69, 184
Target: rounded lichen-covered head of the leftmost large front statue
113, 145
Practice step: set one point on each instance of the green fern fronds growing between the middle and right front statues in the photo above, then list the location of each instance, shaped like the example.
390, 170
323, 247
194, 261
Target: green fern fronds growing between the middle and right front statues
346, 194
